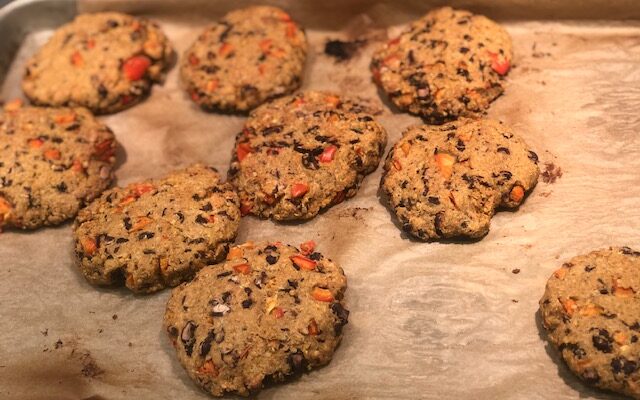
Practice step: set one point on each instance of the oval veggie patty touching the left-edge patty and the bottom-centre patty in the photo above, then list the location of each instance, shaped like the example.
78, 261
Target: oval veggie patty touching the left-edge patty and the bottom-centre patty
159, 232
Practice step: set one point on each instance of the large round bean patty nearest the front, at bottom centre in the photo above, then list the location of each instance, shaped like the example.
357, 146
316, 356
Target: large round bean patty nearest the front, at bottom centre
269, 311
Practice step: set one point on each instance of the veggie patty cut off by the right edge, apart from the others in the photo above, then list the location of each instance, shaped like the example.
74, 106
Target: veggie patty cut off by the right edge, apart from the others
591, 311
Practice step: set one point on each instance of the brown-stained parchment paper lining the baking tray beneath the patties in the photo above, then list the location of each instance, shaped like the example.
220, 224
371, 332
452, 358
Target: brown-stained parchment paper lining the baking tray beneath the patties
428, 320
